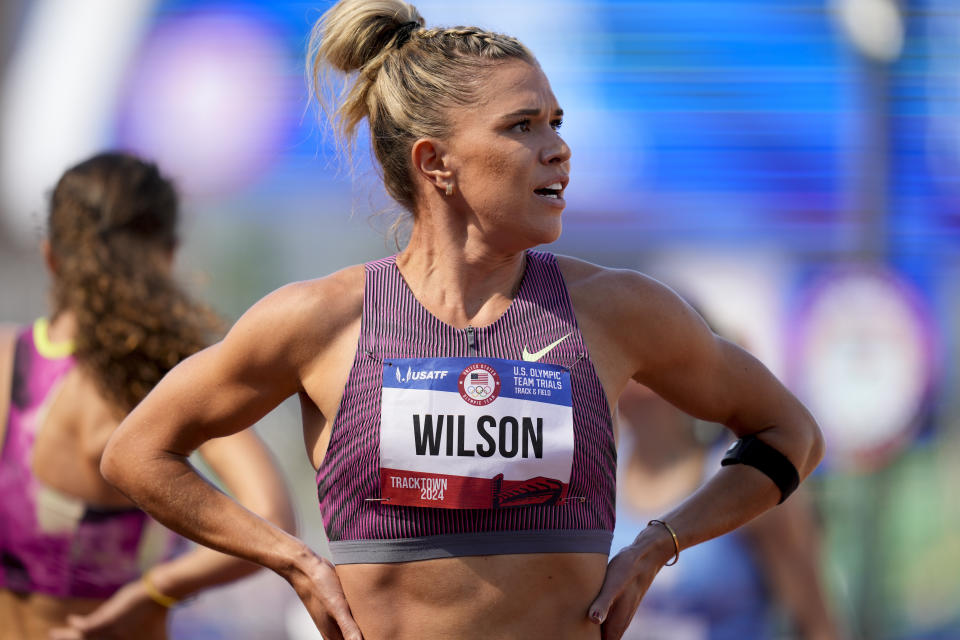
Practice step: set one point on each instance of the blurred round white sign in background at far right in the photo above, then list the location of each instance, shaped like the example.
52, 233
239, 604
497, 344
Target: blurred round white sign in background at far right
863, 360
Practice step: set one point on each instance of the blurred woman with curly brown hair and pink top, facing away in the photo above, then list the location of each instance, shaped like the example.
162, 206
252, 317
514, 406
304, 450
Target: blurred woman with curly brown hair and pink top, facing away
73, 550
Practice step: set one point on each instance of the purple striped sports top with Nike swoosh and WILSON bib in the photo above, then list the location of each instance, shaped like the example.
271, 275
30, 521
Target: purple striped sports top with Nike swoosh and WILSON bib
478, 441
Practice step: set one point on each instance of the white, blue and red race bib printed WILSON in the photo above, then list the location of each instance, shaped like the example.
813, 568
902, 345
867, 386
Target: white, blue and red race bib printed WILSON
475, 433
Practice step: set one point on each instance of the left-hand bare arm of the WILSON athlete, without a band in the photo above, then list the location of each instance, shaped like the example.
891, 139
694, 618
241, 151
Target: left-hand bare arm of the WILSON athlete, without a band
218, 392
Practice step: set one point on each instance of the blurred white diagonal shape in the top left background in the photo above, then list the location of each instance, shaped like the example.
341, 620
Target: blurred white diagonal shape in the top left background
56, 103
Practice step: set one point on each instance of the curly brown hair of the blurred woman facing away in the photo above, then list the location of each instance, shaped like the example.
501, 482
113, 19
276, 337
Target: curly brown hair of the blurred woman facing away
112, 228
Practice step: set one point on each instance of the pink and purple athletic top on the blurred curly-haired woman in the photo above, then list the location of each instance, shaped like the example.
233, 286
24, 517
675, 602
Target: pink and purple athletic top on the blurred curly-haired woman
52, 543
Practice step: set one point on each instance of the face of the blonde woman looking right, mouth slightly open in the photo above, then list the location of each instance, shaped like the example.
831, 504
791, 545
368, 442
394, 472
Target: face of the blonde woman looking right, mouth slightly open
510, 164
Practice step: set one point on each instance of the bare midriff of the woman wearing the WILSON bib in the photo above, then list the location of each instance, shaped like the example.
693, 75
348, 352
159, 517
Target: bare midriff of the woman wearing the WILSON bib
503, 597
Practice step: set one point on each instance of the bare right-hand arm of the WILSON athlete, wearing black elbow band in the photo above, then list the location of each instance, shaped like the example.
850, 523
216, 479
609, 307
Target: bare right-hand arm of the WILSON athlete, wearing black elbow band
640, 329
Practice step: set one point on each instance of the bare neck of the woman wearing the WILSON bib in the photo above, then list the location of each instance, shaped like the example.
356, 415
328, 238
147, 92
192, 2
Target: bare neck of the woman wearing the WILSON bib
462, 283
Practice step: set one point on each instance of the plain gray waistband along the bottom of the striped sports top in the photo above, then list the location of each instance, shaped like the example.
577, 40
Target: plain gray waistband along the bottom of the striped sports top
470, 544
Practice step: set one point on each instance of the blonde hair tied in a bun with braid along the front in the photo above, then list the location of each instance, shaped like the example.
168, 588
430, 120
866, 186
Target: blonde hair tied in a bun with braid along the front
406, 77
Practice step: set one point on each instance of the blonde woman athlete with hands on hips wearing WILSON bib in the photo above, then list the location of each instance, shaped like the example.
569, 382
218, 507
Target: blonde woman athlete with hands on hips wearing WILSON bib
456, 397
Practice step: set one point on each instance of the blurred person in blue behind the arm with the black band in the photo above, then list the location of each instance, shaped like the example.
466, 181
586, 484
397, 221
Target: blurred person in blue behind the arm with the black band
739, 585
